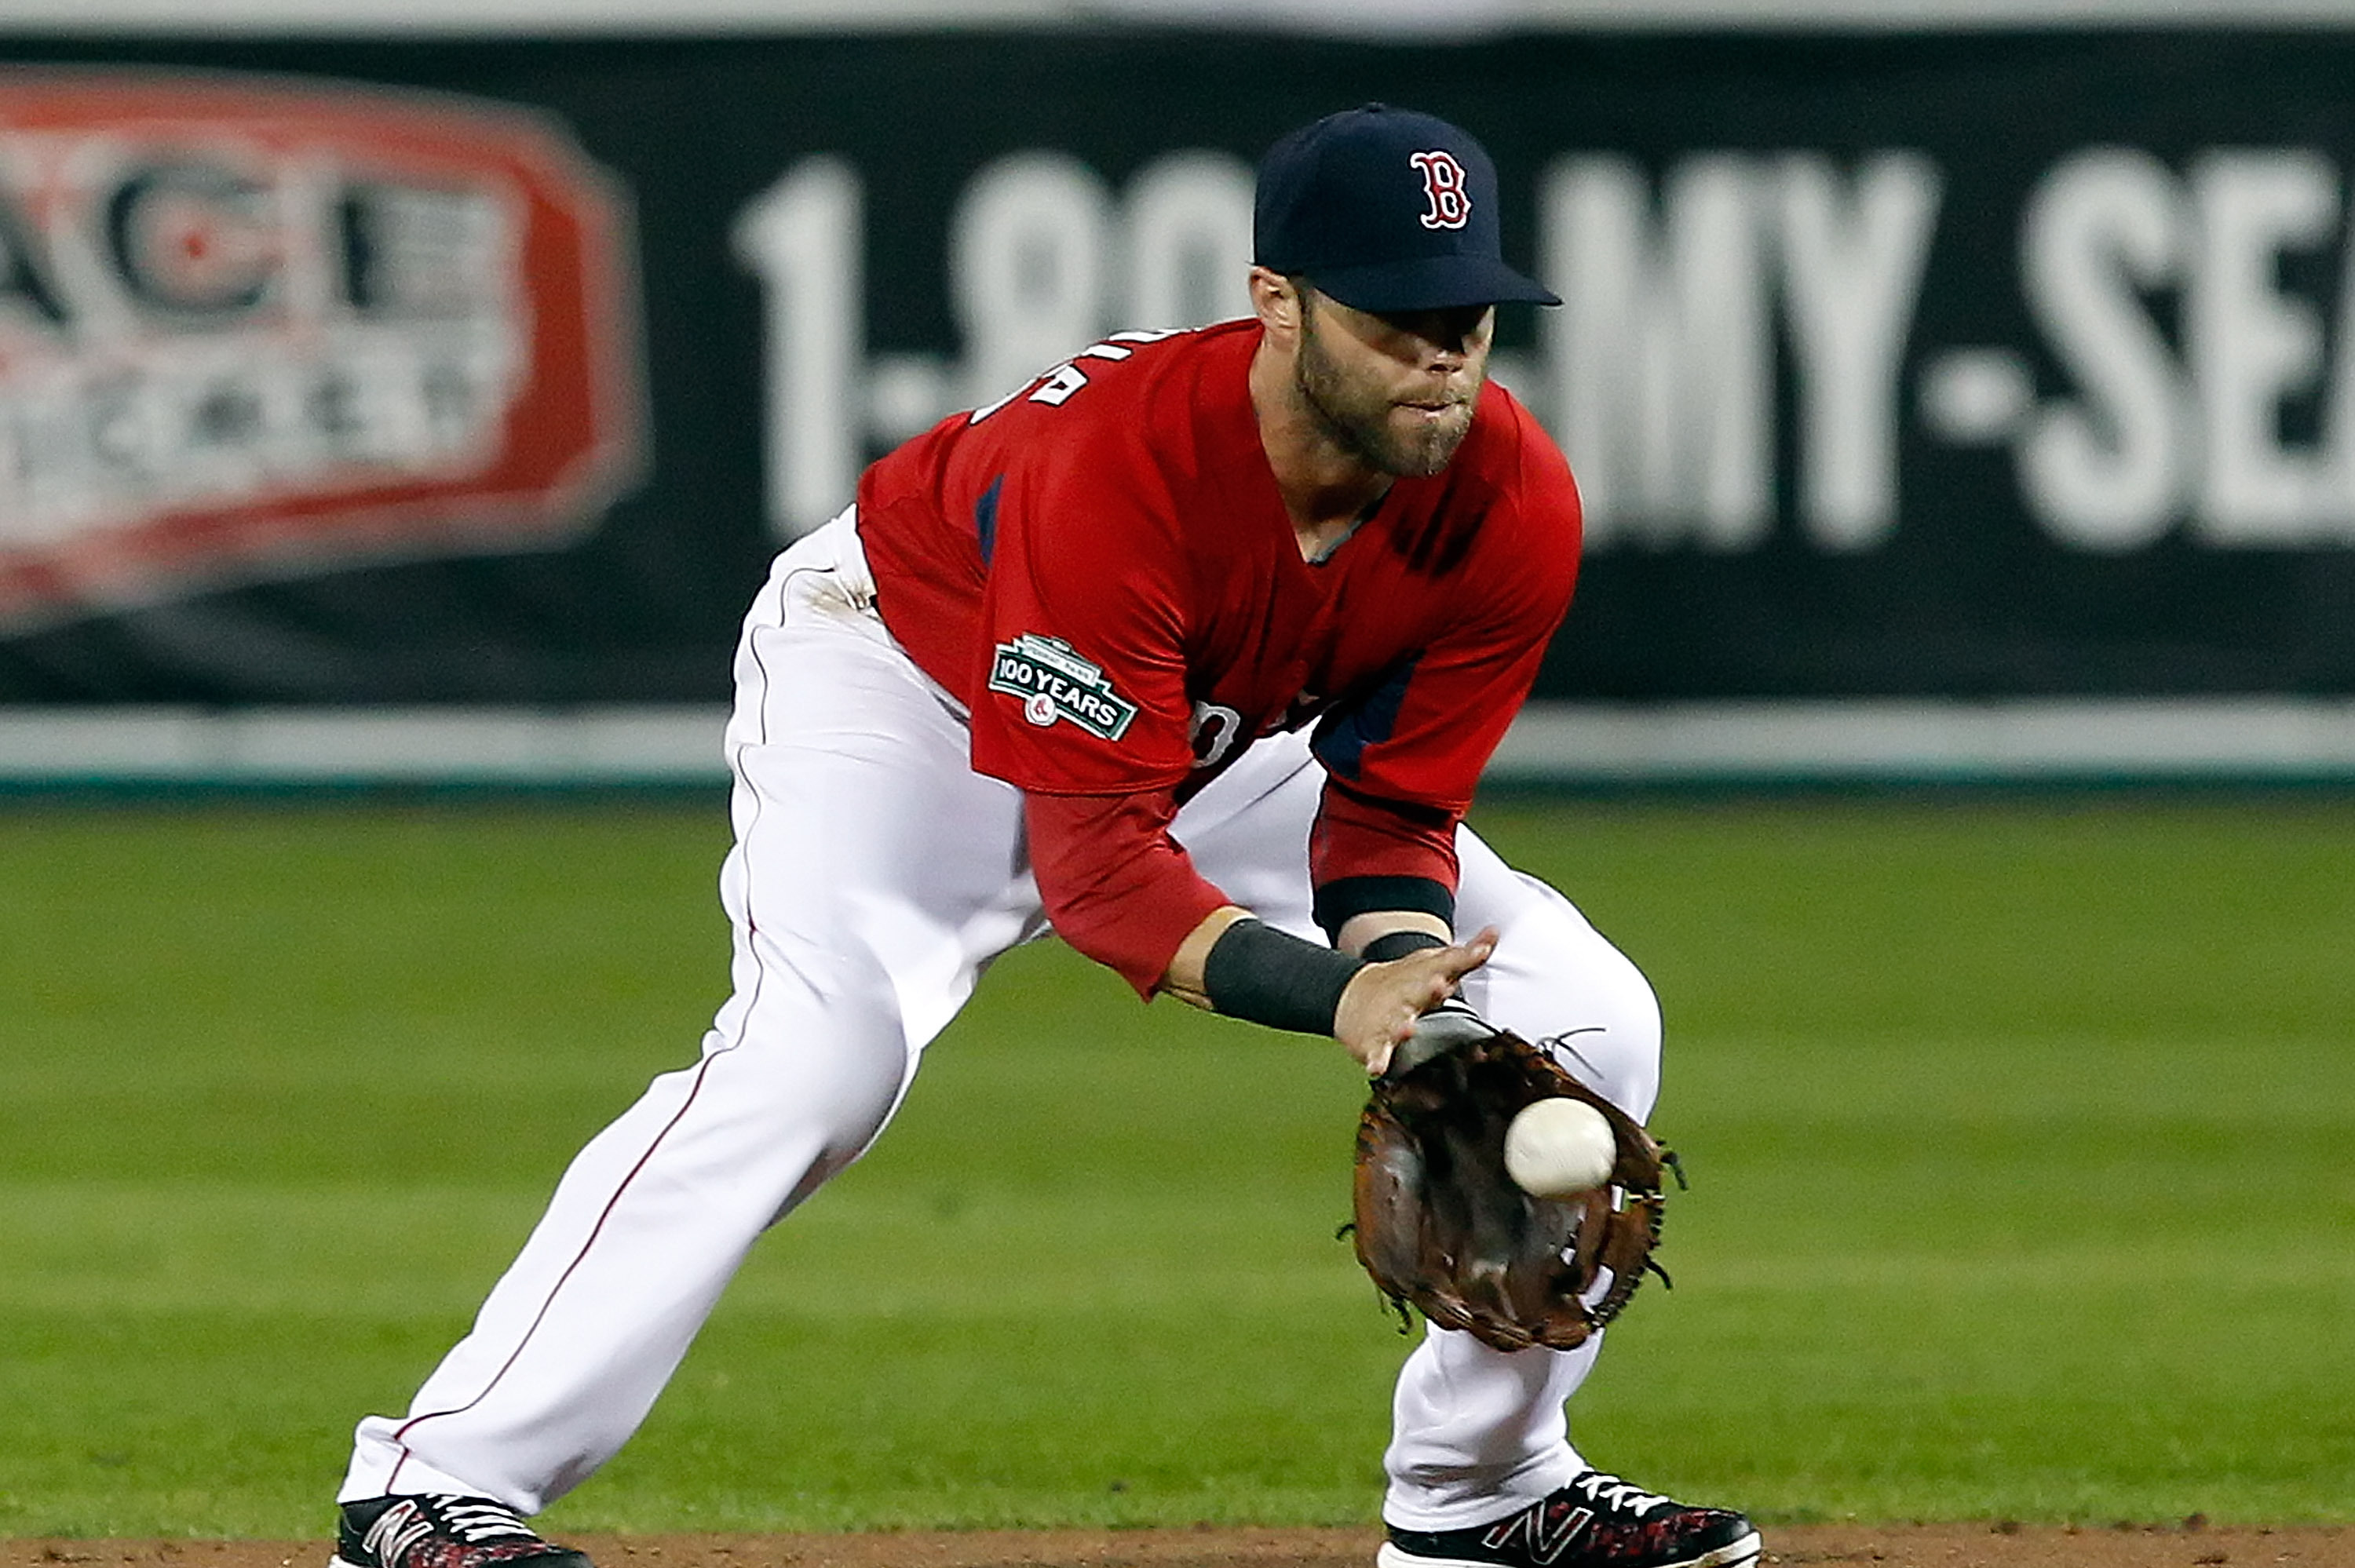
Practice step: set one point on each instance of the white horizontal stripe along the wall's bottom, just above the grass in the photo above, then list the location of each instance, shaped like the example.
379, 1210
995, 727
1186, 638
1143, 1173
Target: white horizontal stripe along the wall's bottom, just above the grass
1553, 745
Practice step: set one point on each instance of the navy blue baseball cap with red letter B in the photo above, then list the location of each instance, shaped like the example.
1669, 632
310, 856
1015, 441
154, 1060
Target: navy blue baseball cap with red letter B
1386, 211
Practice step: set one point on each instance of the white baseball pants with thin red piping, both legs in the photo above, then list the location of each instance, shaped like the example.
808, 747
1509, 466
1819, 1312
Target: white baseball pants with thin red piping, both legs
873, 882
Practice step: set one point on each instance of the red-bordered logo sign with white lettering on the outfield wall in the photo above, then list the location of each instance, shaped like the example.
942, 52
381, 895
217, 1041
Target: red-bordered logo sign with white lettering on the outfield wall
260, 328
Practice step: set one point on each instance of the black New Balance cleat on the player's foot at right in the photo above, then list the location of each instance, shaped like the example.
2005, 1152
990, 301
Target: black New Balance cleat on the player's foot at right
1596, 1522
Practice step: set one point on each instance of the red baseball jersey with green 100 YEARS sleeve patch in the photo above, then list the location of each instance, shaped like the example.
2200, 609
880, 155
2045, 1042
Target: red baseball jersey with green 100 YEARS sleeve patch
1101, 566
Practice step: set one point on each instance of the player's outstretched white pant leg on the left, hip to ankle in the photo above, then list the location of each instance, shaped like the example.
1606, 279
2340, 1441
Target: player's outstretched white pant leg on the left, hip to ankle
873, 879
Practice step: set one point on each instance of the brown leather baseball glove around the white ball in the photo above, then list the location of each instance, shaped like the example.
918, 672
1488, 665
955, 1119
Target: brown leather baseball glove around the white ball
1445, 1228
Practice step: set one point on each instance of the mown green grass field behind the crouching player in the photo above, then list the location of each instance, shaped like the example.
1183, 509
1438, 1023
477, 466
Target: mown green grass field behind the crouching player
2019, 1141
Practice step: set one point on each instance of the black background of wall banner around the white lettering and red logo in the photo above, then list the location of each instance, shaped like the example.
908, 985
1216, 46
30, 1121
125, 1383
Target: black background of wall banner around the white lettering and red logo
1968, 597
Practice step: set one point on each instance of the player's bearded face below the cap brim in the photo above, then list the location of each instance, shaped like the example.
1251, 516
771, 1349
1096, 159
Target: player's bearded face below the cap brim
1398, 392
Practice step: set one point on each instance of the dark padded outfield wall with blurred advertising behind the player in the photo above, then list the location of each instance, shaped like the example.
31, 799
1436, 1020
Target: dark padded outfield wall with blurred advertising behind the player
404, 394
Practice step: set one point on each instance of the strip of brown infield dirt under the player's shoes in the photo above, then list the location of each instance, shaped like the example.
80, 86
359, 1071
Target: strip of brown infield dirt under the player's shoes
2191, 1546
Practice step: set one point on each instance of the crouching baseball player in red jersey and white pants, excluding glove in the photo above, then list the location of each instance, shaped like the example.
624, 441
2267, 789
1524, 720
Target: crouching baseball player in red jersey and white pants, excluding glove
1193, 651
